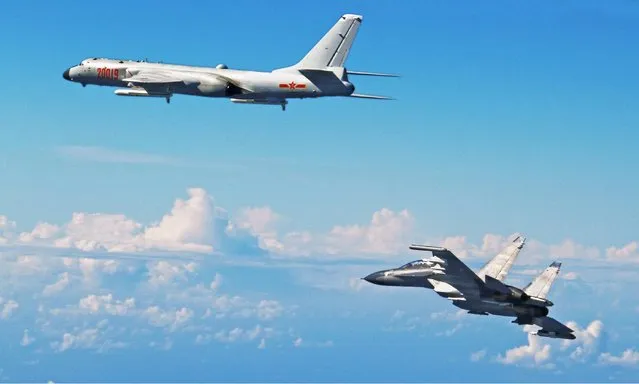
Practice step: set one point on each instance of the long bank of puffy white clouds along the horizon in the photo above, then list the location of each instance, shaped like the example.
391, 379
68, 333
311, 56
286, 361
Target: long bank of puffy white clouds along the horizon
196, 225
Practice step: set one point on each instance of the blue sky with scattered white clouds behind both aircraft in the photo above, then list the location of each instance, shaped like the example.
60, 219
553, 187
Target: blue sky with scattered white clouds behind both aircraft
510, 117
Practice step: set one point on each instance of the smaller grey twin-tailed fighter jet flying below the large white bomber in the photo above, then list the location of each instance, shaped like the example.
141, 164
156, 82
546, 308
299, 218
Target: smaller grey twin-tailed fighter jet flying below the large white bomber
484, 292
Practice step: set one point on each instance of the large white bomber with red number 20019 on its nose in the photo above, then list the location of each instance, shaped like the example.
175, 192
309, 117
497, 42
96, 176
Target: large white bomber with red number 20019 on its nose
320, 73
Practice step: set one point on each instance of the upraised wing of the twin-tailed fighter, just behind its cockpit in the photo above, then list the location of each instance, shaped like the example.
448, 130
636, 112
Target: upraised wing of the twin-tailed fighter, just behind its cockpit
455, 272
